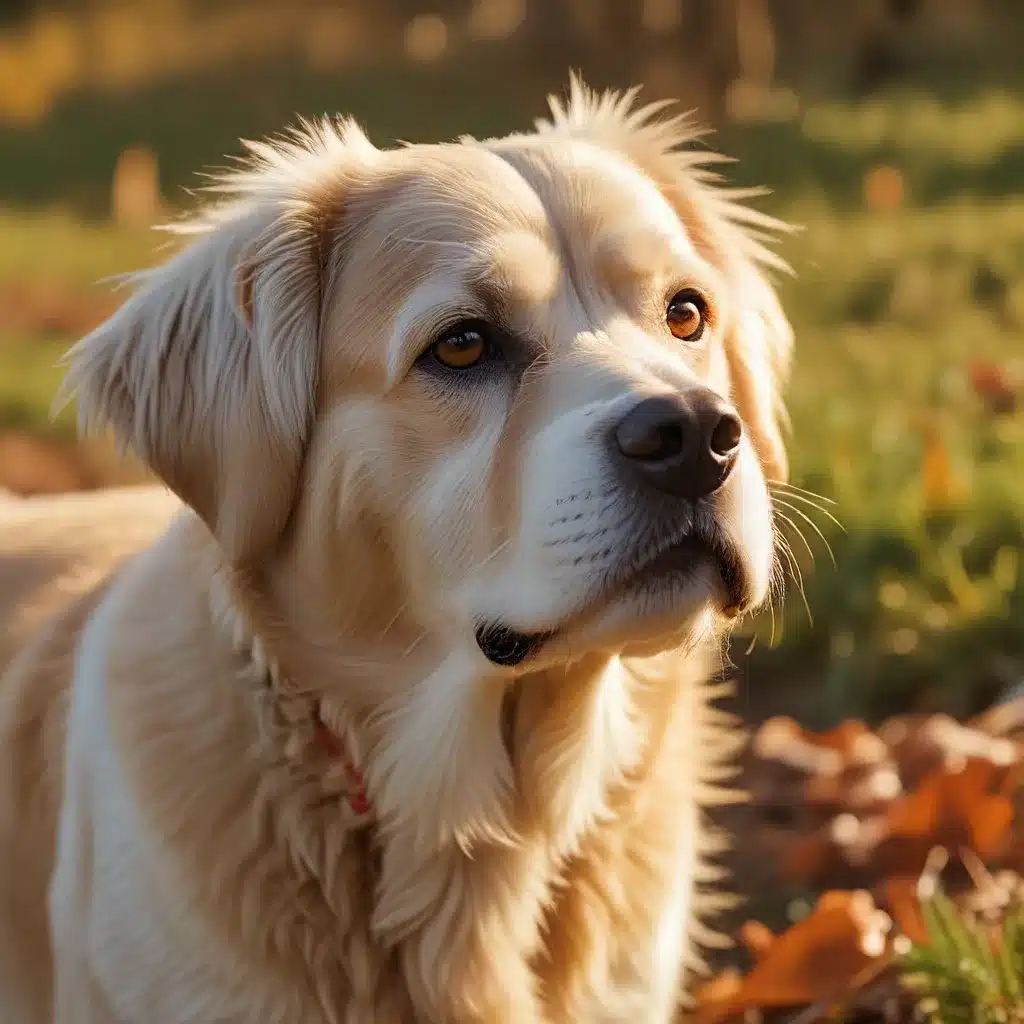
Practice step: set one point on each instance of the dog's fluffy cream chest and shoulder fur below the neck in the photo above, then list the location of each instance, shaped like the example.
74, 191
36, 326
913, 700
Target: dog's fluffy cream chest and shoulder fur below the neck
269, 894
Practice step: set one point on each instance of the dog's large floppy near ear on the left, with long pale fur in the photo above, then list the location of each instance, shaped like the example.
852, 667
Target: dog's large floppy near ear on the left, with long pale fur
209, 371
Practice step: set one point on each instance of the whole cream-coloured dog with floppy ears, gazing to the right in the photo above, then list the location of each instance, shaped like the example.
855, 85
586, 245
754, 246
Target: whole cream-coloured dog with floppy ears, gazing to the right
403, 718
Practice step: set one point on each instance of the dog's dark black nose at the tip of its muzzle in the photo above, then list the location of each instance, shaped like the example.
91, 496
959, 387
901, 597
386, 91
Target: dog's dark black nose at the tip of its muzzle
685, 445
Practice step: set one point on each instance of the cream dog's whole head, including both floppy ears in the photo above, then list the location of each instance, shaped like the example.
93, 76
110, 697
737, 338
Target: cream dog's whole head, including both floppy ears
522, 396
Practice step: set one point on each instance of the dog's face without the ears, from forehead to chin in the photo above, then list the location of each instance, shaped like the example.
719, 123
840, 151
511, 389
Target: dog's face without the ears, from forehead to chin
547, 400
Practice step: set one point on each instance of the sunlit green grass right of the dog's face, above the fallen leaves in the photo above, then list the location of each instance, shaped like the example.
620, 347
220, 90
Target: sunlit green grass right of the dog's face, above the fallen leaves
927, 598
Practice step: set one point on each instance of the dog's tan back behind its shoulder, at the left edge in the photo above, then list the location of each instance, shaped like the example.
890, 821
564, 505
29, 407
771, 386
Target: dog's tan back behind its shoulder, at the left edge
57, 556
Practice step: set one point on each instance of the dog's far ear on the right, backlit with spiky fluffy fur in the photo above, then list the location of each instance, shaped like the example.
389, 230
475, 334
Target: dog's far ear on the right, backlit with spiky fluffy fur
729, 234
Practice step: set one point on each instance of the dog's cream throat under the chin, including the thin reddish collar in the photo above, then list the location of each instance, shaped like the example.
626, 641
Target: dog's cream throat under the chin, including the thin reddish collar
454, 760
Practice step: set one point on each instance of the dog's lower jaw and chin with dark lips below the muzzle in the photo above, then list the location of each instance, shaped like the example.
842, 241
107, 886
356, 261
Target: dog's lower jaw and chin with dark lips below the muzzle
669, 602
